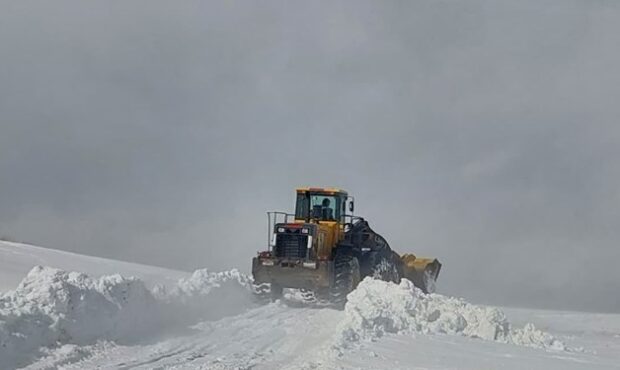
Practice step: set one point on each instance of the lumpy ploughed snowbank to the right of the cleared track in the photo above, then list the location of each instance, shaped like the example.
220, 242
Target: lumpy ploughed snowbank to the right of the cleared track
377, 307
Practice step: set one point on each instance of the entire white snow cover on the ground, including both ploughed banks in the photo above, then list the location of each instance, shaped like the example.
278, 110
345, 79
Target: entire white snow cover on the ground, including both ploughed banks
210, 320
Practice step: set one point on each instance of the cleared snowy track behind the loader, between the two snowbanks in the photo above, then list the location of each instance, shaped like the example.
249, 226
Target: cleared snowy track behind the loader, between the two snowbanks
268, 337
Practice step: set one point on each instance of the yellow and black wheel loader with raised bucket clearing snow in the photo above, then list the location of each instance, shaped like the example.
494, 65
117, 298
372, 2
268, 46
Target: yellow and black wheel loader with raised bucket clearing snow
325, 249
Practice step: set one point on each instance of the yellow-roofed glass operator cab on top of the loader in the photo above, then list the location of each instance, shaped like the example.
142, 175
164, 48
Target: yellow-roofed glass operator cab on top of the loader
321, 204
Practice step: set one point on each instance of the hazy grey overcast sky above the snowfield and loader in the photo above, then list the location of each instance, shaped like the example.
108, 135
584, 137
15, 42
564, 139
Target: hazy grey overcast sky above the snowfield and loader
485, 133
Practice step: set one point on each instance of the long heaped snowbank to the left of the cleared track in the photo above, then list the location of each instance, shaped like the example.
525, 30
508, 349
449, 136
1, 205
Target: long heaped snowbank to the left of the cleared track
53, 307
